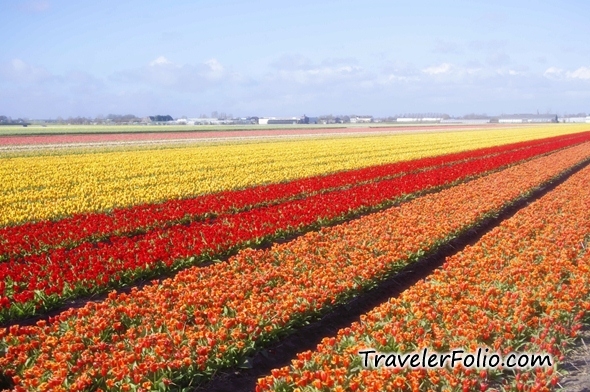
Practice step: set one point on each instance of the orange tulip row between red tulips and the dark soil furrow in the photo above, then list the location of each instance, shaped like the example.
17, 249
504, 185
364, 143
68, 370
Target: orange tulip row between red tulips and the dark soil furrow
184, 329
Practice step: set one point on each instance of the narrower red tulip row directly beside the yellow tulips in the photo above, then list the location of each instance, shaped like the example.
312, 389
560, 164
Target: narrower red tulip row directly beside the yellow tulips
36, 237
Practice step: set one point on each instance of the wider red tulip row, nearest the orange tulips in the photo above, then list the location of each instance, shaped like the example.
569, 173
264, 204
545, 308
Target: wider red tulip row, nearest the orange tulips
41, 281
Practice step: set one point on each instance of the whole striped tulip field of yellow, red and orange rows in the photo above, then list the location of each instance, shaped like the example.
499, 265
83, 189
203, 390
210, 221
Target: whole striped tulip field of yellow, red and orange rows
184, 261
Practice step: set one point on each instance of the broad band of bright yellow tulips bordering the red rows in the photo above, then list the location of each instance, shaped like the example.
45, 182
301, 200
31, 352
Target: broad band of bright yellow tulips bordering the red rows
49, 187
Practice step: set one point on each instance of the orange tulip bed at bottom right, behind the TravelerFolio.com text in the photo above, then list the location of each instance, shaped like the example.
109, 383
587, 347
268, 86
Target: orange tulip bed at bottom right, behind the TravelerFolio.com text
524, 286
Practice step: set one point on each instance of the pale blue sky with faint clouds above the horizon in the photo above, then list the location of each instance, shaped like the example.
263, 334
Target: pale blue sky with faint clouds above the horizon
82, 58
